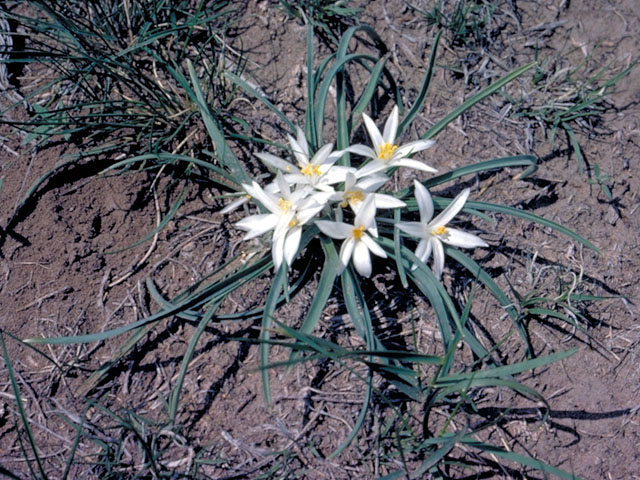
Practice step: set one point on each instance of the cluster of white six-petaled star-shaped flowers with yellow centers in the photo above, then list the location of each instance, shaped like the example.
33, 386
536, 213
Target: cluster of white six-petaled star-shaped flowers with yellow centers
309, 188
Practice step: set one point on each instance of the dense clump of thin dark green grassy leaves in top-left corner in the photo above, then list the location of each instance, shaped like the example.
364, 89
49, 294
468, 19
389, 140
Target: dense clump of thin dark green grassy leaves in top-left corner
106, 70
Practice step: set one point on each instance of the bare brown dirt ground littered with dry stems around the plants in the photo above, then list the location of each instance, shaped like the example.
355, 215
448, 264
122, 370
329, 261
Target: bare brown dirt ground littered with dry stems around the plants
57, 276
